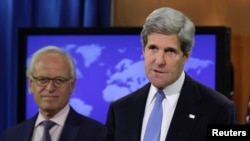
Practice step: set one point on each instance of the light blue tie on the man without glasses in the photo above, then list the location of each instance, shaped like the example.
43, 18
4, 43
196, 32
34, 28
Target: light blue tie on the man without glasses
153, 129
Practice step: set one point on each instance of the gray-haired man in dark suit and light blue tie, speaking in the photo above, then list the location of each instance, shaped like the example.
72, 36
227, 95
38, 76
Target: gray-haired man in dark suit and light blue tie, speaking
187, 106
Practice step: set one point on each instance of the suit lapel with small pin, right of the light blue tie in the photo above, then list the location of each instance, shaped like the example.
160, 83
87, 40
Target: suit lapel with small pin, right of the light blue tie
186, 113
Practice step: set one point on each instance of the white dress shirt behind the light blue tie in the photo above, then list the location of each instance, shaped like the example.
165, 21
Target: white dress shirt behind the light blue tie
172, 94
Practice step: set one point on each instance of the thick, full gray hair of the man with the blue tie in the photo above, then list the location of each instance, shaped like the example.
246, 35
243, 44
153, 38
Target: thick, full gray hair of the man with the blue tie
167, 21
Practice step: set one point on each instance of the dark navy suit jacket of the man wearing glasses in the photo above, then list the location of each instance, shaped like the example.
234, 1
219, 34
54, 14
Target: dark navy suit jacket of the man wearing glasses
76, 128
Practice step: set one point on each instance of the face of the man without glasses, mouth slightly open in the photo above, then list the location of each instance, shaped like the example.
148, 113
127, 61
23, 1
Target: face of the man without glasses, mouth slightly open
164, 60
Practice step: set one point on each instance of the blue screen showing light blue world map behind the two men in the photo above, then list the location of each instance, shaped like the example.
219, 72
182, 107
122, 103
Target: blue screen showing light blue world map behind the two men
112, 66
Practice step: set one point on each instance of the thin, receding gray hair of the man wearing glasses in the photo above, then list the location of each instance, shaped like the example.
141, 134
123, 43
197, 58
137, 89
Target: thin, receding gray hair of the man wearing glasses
51, 49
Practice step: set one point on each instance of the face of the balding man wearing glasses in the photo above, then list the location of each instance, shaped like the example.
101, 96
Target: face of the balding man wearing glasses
51, 97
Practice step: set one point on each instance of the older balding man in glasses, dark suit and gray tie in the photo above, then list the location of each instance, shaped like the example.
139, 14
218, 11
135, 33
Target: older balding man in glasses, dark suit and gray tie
52, 77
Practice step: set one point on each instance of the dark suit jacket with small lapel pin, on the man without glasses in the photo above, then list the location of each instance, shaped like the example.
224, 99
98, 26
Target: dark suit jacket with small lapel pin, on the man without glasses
125, 116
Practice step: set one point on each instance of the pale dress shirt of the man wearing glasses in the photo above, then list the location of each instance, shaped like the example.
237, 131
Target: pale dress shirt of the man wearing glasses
56, 130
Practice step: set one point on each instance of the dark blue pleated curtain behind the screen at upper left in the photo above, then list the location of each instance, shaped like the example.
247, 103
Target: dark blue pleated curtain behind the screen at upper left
38, 13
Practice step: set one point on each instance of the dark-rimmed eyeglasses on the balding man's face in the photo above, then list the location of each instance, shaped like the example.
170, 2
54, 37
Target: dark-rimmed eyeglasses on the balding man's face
44, 81
